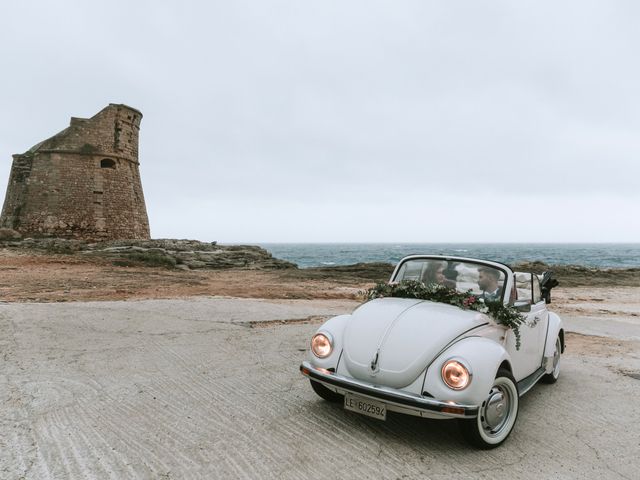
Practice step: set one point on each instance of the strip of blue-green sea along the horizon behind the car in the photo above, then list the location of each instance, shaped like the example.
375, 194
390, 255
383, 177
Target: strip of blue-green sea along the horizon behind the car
602, 255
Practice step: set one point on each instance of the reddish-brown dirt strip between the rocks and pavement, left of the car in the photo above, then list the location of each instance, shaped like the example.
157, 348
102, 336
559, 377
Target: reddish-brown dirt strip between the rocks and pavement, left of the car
64, 278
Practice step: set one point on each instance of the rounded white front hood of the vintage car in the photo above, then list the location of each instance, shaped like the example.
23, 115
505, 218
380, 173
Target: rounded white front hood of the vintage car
390, 341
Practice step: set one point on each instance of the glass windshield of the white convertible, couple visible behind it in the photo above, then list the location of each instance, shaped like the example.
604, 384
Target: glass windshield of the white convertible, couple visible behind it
483, 280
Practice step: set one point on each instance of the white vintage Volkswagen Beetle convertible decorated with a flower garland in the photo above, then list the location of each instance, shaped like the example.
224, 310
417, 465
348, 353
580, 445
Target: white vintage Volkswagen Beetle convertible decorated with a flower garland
447, 356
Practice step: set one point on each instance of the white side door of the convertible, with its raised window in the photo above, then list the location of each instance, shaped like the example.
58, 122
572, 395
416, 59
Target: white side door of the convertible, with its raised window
528, 358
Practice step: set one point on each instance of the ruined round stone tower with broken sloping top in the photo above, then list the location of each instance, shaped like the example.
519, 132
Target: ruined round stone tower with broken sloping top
82, 183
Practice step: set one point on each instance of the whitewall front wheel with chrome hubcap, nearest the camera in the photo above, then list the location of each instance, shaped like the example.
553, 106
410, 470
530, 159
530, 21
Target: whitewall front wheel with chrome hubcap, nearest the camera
496, 416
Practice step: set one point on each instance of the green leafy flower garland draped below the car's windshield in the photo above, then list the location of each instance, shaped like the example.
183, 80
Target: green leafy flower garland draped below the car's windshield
434, 292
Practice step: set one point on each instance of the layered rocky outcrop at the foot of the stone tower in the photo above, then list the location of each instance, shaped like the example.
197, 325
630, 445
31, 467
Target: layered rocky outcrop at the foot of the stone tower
184, 254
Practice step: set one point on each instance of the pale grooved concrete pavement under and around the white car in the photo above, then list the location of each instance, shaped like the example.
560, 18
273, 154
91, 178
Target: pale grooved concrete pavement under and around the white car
194, 389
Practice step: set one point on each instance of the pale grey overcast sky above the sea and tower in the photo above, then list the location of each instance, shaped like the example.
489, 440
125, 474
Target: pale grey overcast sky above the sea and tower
330, 121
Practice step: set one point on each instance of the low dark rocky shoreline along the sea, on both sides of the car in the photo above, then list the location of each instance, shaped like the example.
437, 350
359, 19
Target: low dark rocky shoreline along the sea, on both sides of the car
196, 255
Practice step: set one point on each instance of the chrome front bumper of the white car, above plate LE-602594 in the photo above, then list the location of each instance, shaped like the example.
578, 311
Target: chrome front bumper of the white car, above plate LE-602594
394, 399
